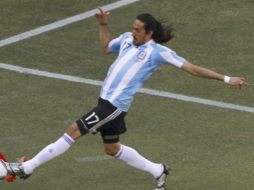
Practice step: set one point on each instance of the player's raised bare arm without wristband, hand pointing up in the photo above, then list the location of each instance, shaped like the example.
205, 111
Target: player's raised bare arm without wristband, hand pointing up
105, 37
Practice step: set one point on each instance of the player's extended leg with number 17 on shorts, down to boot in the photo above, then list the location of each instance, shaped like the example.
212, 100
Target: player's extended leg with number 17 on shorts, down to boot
89, 123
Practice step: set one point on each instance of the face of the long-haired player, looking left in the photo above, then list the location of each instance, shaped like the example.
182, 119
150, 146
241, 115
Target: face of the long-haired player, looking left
139, 34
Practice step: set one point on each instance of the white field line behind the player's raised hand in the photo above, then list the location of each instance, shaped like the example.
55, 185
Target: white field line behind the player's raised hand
63, 22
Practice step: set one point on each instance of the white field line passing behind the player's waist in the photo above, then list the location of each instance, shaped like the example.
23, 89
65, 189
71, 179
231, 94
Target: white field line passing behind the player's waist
143, 90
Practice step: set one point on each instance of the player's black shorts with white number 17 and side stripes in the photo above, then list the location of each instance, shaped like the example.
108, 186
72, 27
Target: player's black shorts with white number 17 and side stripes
104, 118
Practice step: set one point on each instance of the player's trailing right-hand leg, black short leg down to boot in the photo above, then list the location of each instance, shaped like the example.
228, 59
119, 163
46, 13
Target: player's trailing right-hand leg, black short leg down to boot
110, 135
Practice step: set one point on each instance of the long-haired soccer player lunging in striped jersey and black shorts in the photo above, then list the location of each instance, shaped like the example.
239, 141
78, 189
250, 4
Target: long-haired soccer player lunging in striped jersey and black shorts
140, 53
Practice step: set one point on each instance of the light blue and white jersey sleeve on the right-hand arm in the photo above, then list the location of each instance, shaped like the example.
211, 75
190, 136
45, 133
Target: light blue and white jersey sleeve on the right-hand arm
167, 56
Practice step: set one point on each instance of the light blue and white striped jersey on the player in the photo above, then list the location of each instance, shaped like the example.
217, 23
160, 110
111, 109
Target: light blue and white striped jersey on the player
133, 67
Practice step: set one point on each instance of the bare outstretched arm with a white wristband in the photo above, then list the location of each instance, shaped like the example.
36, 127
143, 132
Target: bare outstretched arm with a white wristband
207, 73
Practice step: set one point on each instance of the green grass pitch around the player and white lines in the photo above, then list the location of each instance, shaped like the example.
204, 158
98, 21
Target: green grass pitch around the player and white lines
208, 148
